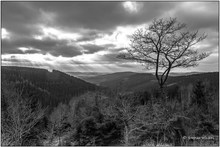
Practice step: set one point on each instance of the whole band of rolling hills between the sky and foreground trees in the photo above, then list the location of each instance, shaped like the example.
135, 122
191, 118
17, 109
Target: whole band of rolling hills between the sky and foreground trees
54, 87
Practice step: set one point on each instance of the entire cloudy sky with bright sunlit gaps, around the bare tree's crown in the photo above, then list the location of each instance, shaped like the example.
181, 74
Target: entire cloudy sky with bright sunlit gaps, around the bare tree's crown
87, 36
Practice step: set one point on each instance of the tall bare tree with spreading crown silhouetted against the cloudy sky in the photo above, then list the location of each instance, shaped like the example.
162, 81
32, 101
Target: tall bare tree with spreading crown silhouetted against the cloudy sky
165, 45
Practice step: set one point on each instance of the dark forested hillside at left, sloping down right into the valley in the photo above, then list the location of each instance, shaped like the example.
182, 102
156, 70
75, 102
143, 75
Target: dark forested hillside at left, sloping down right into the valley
50, 88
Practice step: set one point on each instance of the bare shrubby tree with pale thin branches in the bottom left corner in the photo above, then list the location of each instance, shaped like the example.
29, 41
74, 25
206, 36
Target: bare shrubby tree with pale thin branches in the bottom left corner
18, 118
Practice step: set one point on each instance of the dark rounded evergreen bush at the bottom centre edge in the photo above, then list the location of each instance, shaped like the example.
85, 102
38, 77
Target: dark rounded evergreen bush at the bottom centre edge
95, 130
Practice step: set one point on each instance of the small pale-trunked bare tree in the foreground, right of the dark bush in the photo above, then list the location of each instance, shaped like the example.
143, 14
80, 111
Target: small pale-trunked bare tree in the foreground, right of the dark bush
130, 116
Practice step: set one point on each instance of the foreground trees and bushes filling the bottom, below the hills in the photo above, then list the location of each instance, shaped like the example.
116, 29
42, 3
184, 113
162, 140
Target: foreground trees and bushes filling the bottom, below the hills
140, 118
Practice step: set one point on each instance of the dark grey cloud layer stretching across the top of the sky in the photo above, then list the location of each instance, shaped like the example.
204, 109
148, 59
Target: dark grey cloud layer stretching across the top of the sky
22, 17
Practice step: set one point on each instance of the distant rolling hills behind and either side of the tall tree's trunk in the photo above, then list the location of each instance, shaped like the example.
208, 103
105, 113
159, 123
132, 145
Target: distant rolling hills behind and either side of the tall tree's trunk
130, 81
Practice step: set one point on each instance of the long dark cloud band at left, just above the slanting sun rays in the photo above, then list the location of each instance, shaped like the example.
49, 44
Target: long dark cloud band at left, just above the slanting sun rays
48, 45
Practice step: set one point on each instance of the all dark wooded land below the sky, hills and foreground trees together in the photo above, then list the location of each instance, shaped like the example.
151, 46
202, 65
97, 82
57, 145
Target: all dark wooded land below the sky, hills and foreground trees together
85, 114
